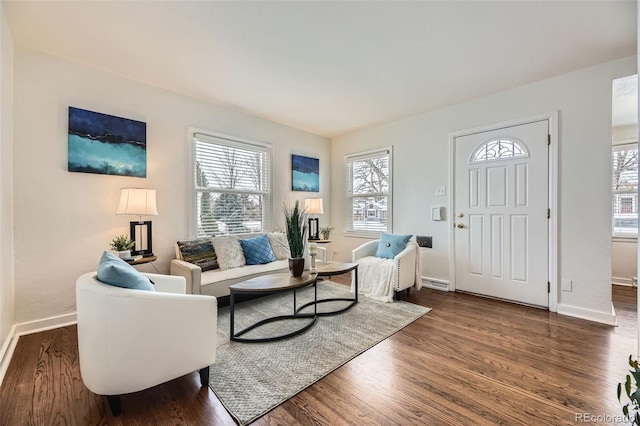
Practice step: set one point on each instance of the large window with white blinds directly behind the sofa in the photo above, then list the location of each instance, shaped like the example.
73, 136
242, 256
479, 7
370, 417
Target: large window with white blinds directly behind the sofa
232, 185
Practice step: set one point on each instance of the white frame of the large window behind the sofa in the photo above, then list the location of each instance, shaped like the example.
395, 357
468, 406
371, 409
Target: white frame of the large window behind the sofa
195, 134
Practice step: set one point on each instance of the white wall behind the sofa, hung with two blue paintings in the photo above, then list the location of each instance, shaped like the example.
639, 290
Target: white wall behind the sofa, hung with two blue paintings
63, 221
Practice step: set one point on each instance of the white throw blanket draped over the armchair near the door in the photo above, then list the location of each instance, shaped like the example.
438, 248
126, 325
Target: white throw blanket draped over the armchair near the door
375, 278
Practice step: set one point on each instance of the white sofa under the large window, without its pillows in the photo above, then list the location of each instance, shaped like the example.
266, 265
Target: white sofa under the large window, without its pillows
216, 282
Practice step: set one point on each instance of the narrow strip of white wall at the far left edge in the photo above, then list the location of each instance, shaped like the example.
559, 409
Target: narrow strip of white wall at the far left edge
6, 188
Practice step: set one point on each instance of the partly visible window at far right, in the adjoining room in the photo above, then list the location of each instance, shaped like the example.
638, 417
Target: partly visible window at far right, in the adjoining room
625, 190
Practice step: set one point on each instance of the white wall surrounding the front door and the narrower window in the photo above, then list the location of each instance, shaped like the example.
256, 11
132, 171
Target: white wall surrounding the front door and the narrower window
583, 99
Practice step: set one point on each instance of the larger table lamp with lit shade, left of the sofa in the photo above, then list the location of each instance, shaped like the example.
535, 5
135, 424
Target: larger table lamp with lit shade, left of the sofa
139, 202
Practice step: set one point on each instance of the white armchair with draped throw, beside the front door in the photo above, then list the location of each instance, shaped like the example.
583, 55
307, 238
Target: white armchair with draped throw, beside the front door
391, 275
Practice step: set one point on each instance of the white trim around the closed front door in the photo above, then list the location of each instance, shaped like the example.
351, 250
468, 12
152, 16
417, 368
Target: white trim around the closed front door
553, 252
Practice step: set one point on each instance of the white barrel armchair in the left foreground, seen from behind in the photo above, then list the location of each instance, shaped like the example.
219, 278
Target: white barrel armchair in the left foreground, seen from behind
130, 340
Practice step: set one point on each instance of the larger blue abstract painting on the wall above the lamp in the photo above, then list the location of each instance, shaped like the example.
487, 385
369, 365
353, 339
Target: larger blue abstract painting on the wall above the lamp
105, 144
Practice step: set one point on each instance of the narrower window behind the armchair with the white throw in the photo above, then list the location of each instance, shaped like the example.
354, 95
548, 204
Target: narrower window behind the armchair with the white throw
369, 192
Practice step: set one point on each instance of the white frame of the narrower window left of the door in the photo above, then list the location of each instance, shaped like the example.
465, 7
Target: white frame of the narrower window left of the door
349, 159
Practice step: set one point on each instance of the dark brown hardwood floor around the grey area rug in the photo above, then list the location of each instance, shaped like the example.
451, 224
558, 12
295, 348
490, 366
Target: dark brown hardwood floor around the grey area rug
469, 361
